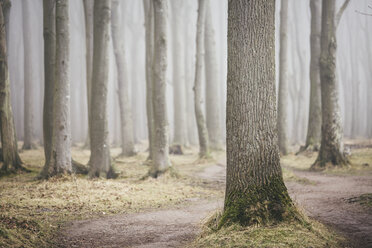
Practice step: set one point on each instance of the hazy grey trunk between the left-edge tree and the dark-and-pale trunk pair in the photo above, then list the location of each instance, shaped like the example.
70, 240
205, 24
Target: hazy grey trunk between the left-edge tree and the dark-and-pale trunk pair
29, 77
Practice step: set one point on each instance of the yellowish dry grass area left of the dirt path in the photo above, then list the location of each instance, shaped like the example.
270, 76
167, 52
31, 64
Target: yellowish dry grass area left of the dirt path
31, 212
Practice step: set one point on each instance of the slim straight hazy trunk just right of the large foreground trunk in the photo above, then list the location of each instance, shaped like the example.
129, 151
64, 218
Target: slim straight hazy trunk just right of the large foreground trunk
283, 79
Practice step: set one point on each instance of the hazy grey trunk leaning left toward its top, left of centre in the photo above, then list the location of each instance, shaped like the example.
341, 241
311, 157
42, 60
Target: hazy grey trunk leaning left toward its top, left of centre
126, 125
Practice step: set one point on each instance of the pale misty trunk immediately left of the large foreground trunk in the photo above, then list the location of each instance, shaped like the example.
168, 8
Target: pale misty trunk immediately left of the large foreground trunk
212, 82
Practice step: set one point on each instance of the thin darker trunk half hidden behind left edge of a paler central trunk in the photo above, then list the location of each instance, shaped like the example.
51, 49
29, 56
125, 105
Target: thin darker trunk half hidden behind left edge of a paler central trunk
149, 29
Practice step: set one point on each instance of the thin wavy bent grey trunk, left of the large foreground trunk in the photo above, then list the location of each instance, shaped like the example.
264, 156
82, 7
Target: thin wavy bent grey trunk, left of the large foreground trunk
199, 99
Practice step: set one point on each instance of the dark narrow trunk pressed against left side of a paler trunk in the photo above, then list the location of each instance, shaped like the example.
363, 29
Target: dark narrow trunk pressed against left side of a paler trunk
49, 71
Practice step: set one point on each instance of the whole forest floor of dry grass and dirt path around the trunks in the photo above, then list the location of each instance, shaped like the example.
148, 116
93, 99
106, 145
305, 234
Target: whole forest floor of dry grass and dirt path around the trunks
170, 211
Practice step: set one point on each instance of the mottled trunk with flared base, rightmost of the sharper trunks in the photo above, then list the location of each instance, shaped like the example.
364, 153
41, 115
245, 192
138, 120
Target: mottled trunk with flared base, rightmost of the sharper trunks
331, 149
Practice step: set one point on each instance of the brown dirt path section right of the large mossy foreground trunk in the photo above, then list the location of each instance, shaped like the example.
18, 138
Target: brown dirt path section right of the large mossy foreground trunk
328, 201
